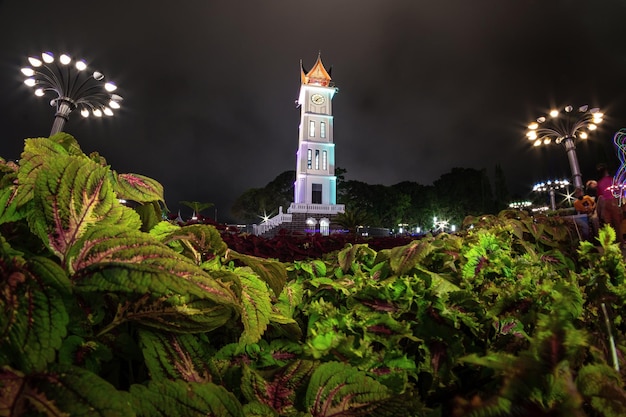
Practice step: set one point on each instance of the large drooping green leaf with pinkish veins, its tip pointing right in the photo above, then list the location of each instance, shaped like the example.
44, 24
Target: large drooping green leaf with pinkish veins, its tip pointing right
156, 286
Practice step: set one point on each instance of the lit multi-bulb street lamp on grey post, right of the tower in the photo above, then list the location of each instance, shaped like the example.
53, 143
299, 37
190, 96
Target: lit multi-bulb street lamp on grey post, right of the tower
563, 127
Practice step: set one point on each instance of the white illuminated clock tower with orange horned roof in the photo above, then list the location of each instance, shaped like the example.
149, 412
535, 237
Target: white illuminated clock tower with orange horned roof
315, 188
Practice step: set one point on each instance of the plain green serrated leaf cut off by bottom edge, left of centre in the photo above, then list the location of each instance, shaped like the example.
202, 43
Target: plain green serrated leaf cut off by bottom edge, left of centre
179, 398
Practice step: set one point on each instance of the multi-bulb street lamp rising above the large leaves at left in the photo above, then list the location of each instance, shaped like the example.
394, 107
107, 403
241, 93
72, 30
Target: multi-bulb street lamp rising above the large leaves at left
75, 87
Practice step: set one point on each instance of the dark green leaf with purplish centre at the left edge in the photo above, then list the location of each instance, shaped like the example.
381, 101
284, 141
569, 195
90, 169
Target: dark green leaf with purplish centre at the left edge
33, 319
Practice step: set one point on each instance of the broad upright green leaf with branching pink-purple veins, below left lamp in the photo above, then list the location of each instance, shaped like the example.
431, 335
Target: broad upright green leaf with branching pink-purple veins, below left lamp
71, 195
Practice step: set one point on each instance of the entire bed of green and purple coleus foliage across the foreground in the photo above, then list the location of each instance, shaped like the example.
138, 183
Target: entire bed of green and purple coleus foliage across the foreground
108, 310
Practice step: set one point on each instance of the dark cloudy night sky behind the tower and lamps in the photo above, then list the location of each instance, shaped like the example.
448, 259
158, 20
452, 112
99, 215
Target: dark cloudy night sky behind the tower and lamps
424, 86
